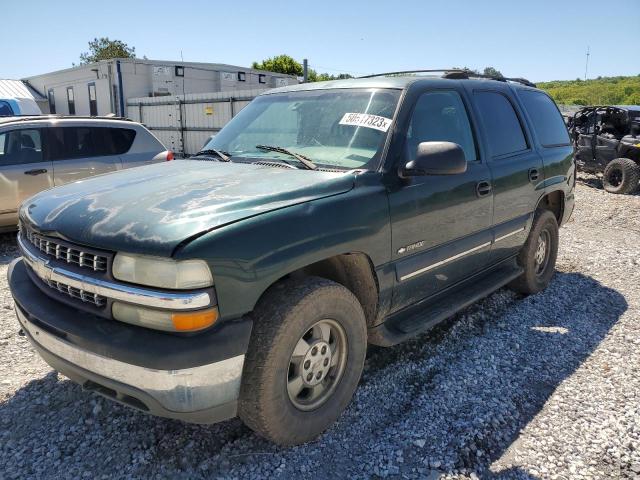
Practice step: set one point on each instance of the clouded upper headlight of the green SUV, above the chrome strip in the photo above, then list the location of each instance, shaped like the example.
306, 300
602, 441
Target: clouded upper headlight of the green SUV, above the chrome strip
162, 272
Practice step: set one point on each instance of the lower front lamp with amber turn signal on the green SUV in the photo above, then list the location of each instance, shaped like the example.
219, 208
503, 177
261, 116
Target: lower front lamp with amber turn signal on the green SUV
164, 320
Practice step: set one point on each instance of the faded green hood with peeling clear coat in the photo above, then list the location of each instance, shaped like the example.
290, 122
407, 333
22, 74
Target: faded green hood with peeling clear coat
154, 208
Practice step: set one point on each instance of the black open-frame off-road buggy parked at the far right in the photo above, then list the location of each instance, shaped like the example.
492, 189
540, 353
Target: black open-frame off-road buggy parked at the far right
607, 141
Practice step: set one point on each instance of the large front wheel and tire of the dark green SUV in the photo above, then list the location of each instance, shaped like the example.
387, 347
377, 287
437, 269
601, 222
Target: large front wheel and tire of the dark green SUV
304, 360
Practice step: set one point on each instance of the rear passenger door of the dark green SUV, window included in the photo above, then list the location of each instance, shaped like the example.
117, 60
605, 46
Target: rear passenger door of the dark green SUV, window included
516, 168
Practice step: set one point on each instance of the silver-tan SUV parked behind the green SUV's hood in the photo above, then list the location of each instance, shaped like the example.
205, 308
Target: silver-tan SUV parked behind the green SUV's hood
40, 152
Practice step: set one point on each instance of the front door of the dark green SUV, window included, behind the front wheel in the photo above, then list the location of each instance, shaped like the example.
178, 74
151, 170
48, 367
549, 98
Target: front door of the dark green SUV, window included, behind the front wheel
441, 225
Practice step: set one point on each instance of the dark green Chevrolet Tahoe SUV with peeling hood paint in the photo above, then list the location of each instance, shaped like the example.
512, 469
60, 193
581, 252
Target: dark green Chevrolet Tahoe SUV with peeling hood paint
249, 279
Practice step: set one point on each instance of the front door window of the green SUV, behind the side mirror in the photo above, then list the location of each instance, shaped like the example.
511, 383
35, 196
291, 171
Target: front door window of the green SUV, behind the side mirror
441, 116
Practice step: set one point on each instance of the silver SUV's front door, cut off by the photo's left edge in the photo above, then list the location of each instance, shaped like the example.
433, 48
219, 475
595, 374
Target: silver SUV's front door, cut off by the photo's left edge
23, 170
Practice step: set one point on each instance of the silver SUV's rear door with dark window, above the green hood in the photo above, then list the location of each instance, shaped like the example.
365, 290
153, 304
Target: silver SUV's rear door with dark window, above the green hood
79, 152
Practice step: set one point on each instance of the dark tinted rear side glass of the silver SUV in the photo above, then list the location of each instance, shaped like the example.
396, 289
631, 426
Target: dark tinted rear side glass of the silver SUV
82, 142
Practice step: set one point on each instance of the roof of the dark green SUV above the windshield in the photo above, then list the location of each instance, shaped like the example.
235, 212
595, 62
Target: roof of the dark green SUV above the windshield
394, 82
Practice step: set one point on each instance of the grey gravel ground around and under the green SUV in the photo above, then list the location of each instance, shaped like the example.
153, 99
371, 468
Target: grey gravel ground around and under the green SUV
541, 387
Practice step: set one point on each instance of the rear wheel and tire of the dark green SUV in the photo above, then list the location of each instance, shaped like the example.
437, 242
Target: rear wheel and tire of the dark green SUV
538, 255
